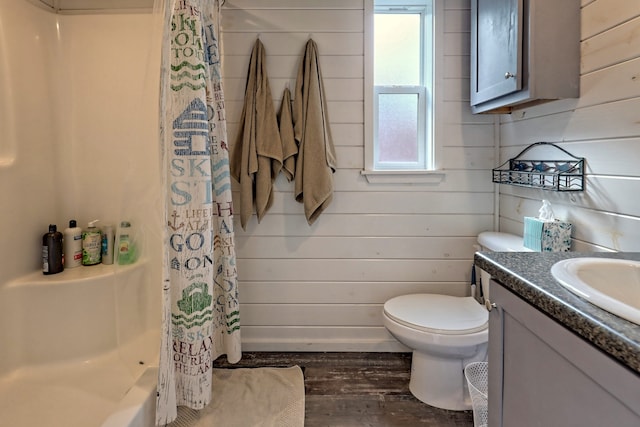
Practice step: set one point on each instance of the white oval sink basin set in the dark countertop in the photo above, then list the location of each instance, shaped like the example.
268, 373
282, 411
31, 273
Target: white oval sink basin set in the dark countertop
611, 284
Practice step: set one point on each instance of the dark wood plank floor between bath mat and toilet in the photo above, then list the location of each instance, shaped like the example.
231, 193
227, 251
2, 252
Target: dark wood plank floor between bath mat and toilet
357, 390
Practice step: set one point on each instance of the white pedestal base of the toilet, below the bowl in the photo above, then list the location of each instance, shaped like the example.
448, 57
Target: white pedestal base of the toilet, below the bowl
440, 382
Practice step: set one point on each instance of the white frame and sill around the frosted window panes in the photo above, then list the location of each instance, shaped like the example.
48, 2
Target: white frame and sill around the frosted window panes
426, 169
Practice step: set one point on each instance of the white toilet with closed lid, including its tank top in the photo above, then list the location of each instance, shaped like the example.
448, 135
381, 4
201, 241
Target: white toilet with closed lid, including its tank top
445, 333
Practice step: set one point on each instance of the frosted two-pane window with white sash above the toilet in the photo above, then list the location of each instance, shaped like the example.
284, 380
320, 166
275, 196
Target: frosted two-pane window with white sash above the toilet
399, 85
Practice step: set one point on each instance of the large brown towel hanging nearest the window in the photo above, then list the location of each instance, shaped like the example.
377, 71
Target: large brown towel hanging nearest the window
316, 160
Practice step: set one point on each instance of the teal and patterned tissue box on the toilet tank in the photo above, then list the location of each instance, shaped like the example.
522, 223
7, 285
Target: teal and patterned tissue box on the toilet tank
547, 236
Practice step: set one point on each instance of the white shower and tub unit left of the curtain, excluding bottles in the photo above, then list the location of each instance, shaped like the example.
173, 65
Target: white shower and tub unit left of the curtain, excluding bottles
81, 92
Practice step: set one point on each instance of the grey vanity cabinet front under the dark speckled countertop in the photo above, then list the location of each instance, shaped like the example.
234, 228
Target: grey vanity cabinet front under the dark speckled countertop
542, 374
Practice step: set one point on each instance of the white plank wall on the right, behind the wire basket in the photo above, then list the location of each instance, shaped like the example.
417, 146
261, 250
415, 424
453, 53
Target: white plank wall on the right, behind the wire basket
603, 126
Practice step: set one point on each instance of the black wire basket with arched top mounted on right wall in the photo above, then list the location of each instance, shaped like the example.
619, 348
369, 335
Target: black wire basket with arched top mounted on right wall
554, 175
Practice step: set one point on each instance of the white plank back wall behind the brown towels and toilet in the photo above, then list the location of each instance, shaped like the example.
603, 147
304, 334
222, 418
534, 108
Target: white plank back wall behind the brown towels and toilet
322, 287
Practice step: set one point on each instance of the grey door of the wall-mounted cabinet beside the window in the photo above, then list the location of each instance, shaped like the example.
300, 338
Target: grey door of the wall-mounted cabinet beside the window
496, 48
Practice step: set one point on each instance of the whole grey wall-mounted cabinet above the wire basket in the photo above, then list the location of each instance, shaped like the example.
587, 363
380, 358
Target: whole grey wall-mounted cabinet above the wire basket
523, 52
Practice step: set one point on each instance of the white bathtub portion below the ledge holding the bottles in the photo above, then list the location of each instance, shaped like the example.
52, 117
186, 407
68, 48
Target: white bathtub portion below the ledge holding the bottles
79, 348
